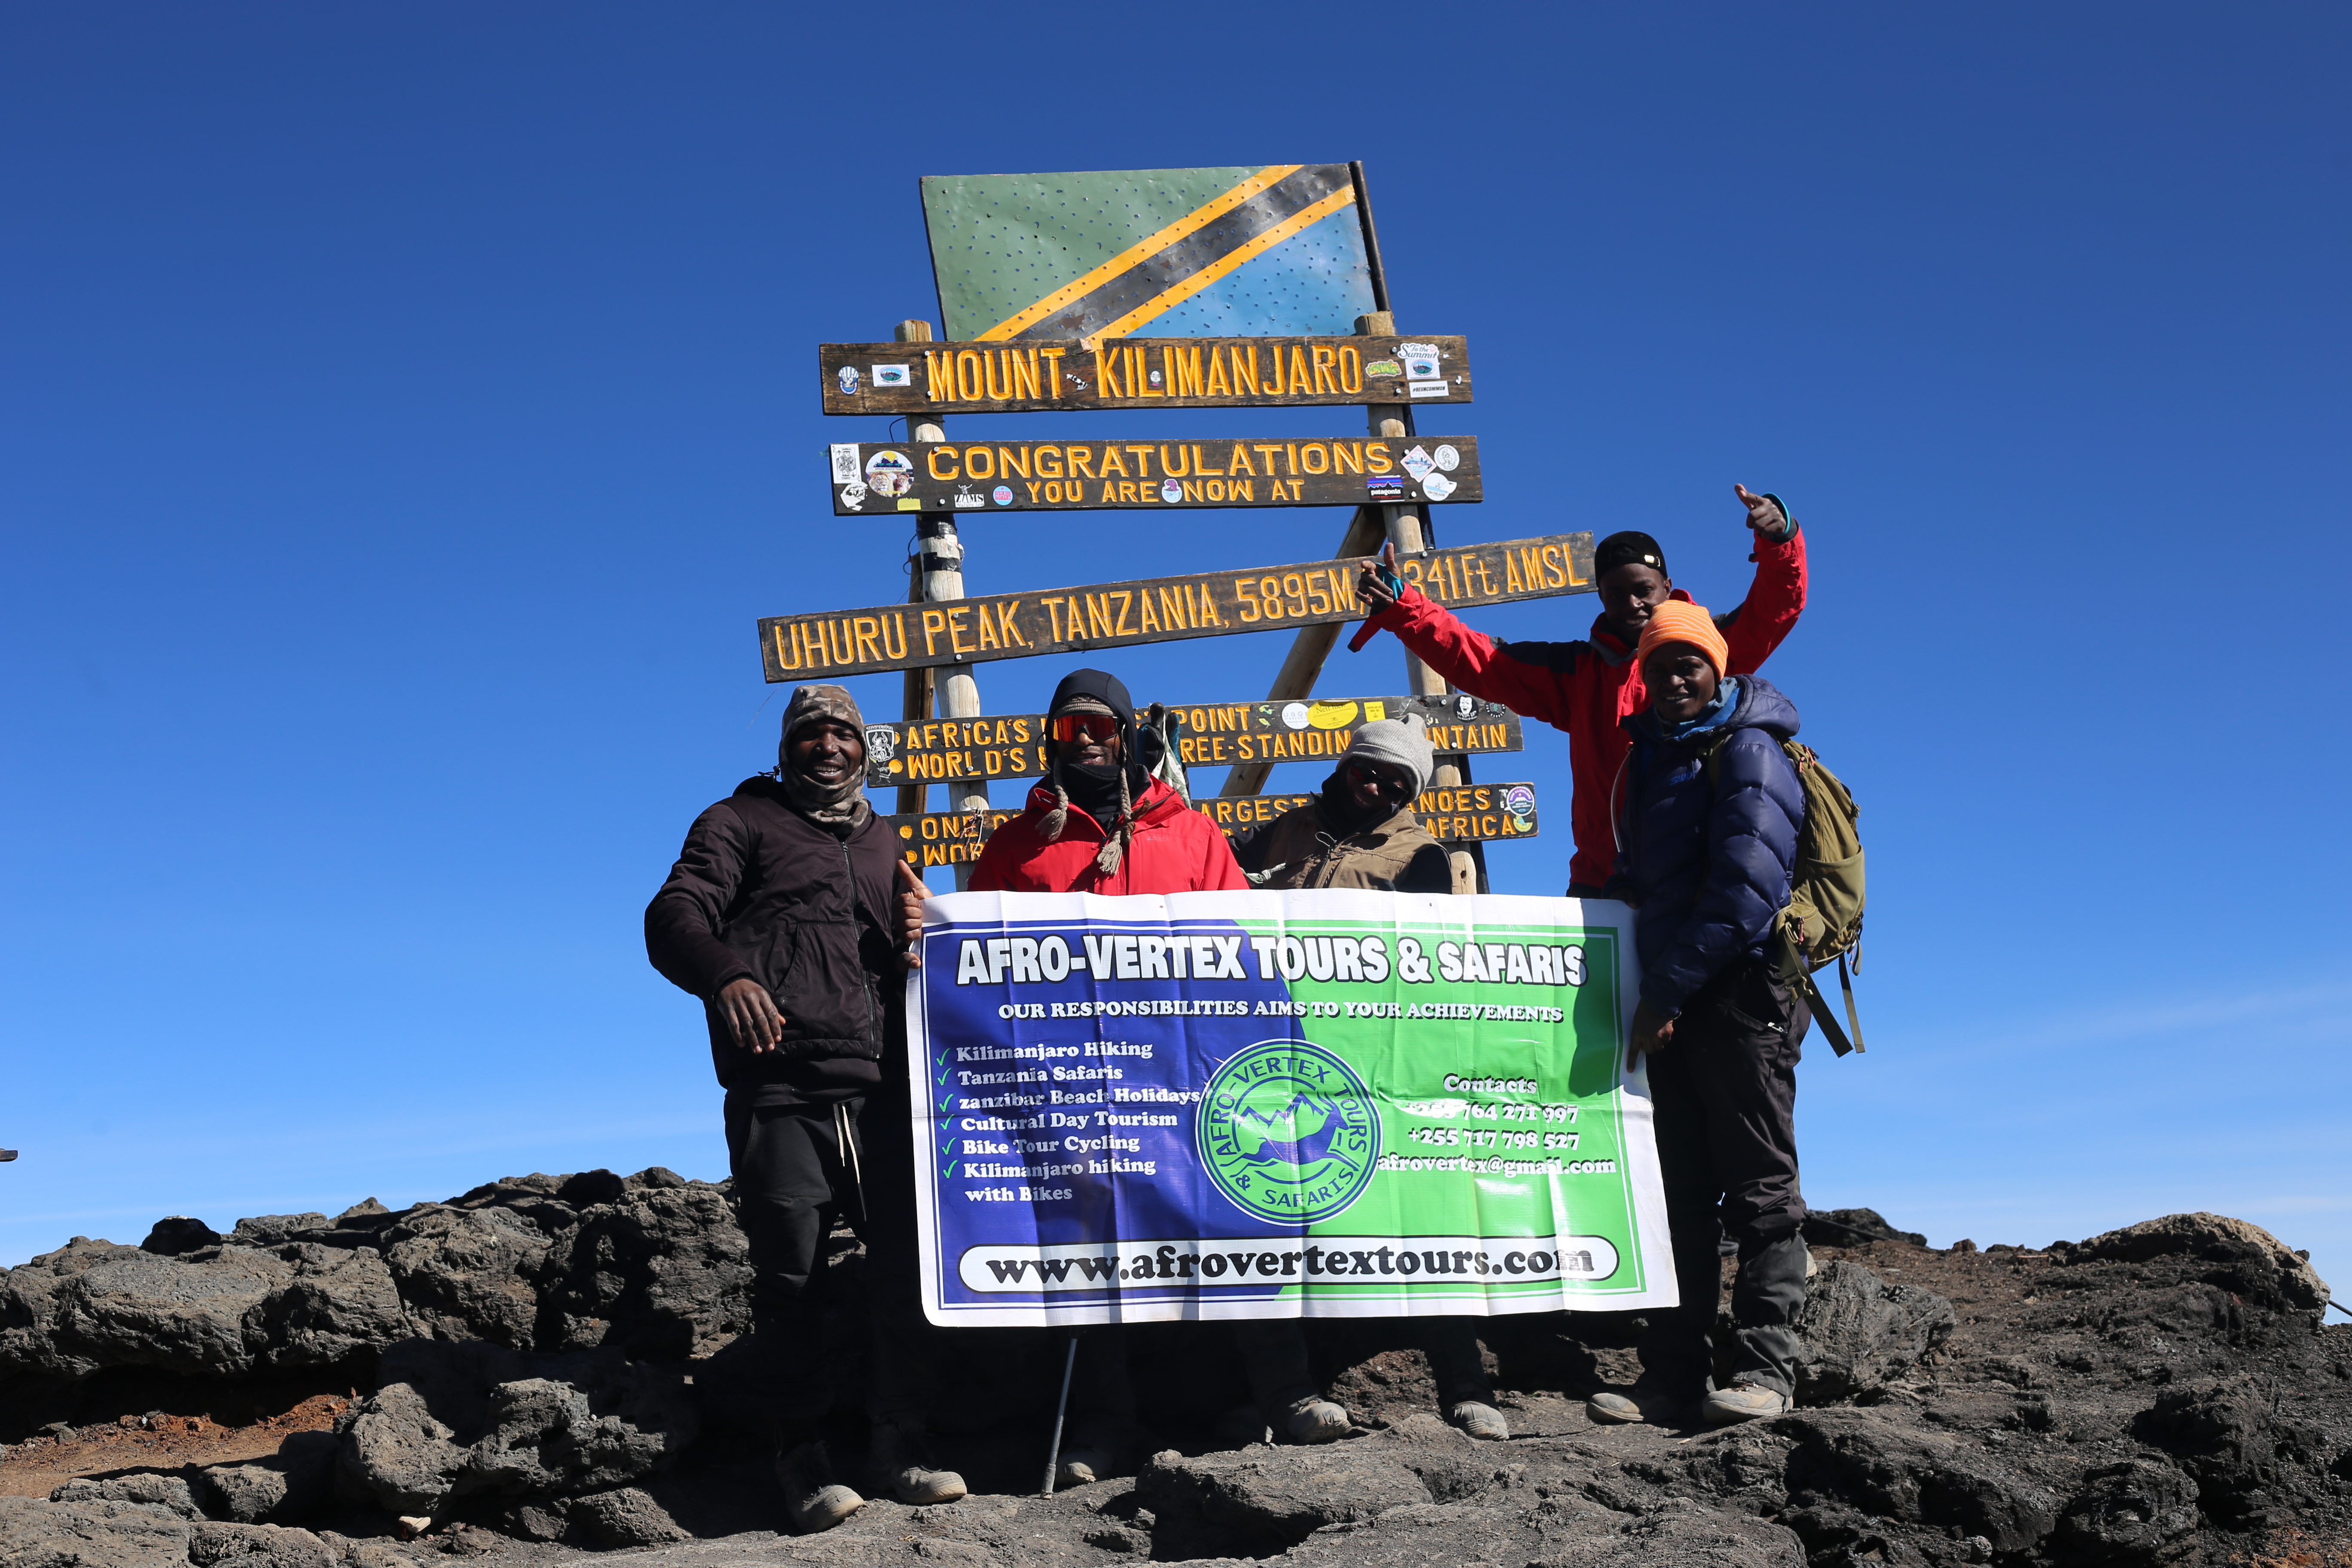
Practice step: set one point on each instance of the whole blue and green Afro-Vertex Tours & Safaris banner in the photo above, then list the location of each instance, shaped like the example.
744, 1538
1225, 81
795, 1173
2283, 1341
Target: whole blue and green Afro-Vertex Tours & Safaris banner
1318, 1104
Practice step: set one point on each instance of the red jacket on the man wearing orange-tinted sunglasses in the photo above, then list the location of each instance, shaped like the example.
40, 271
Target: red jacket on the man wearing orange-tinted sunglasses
1172, 852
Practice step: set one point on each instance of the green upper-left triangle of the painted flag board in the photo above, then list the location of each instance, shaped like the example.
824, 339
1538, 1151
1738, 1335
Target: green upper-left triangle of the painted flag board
1005, 241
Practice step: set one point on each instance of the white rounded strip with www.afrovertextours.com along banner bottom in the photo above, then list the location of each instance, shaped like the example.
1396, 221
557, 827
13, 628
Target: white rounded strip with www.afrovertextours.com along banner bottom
1252, 1261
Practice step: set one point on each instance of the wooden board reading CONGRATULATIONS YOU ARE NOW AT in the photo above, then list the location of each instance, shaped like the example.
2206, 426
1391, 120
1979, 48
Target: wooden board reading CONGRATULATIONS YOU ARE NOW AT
1125, 476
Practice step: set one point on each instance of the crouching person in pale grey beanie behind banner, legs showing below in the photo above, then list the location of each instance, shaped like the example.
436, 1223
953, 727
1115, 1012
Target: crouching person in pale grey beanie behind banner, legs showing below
1361, 833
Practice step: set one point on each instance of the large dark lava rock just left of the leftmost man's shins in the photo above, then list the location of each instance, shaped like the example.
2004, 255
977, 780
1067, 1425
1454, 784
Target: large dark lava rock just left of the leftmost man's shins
476, 1419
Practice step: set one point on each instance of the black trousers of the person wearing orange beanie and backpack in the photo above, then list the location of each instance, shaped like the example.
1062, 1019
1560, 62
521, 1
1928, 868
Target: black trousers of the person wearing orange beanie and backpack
1725, 1111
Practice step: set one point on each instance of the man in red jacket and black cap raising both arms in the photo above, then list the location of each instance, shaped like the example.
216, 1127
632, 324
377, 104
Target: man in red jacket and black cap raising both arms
1591, 688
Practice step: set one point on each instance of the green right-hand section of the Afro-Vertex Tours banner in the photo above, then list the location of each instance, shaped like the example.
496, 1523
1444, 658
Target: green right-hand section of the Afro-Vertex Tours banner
1492, 1087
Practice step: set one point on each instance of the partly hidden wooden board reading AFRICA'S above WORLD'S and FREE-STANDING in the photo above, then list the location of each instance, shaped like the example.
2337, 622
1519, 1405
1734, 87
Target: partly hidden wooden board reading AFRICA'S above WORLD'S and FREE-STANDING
1215, 735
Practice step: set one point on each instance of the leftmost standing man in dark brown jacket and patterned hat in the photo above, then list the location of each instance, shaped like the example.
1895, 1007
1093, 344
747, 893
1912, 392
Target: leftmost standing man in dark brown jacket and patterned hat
782, 916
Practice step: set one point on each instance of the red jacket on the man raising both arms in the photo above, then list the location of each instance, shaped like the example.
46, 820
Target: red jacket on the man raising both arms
1589, 688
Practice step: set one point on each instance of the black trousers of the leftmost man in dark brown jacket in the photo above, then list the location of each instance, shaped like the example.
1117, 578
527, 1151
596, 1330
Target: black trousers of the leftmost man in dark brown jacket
796, 1172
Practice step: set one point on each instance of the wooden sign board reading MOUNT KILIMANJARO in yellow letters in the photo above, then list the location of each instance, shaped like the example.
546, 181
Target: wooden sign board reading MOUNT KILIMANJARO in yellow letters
1140, 375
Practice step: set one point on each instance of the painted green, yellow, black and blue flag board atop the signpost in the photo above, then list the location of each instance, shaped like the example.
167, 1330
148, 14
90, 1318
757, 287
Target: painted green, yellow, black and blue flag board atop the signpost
1189, 253
